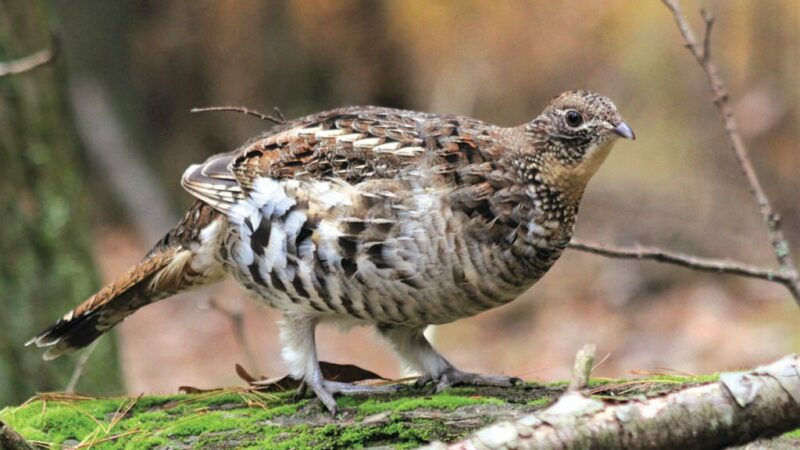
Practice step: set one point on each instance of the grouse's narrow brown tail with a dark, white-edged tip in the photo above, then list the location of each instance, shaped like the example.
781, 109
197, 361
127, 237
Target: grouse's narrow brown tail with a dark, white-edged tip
162, 273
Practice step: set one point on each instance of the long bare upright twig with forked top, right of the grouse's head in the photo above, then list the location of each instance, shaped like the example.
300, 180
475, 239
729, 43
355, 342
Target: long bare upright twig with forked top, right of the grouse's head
702, 53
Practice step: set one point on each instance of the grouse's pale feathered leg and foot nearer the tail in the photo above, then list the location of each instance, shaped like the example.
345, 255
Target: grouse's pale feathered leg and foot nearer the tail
300, 353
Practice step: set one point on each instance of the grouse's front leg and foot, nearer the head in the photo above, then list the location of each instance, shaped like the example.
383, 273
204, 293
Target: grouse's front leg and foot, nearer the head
411, 344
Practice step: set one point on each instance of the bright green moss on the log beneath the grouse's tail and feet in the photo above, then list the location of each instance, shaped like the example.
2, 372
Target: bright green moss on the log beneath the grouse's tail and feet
208, 419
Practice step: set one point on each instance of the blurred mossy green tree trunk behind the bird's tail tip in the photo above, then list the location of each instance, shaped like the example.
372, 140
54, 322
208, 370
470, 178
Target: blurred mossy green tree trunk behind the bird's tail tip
45, 260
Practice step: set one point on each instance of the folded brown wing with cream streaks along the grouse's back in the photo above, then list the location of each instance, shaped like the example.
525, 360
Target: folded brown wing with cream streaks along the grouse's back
350, 144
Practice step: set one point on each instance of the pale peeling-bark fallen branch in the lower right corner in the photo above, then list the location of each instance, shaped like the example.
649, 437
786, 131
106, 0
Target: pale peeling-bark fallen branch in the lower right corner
740, 408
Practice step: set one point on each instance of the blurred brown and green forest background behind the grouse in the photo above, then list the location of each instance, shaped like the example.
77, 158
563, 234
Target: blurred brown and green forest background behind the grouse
99, 177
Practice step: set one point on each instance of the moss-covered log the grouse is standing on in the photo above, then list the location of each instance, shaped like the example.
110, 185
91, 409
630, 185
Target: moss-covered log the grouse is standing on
245, 418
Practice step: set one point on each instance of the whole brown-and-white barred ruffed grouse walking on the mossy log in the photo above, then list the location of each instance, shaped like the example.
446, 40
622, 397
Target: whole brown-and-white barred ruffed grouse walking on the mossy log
368, 215
